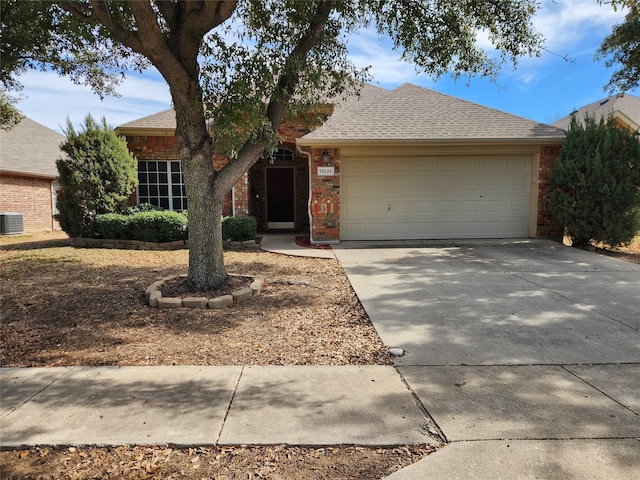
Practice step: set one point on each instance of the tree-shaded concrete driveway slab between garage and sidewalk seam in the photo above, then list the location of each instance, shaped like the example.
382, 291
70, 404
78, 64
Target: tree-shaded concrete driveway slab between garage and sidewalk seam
497, 302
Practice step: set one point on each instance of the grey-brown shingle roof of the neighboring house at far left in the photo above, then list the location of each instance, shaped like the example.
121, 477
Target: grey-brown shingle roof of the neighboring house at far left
31, 149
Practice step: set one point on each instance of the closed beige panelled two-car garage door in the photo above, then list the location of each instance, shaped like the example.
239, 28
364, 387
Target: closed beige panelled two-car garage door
435, 197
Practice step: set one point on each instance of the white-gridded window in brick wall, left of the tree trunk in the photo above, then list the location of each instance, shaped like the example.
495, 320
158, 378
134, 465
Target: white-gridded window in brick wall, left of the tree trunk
161, 183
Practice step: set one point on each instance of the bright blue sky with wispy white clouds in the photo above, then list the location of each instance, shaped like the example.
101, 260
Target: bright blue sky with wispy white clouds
543, 89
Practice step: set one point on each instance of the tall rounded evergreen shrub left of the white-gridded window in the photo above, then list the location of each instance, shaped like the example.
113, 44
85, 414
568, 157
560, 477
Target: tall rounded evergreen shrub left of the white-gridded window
97, 175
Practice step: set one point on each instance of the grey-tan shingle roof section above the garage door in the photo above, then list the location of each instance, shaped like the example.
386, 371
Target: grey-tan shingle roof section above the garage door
411, 113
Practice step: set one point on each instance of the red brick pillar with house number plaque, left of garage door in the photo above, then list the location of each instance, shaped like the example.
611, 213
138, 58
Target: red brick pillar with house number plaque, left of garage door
325, 193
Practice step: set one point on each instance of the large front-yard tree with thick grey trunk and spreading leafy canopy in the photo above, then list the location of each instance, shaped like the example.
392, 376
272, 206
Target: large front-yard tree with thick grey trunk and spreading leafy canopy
246, 64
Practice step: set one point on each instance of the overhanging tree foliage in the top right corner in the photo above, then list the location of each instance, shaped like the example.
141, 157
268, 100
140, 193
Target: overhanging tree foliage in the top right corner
622, 49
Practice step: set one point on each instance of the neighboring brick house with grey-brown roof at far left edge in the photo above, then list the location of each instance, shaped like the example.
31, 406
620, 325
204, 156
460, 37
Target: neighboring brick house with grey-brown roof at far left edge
28, 154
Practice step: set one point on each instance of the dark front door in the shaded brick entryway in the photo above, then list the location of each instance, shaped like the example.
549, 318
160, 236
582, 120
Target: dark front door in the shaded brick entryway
280, 198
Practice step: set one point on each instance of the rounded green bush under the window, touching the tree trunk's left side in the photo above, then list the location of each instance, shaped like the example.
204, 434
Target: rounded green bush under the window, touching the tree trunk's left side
159, 226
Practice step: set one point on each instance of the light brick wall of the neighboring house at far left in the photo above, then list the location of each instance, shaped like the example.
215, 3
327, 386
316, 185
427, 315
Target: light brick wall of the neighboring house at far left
30, 196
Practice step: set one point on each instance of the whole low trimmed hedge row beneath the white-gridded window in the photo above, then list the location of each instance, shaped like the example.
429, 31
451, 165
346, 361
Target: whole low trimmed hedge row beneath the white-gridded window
155, 226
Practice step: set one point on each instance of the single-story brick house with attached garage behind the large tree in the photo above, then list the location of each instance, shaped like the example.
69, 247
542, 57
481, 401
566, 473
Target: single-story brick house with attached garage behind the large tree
408, 163
